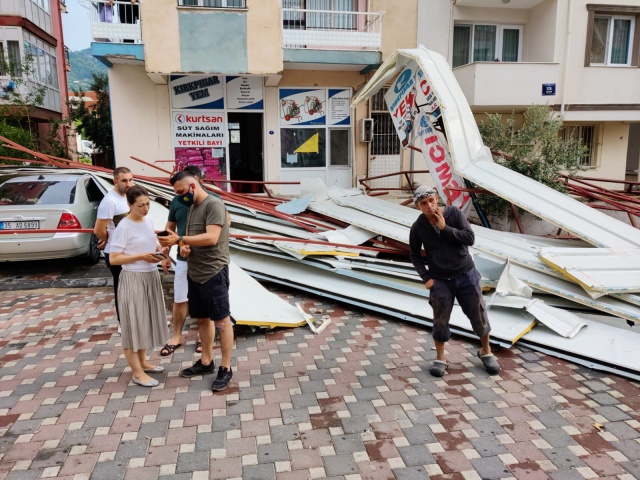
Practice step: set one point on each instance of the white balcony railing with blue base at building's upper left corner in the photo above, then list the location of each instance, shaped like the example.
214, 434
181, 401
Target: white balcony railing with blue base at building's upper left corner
116, 22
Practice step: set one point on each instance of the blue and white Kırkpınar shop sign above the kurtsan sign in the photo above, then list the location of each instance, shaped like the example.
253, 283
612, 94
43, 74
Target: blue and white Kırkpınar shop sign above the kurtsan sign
197, 91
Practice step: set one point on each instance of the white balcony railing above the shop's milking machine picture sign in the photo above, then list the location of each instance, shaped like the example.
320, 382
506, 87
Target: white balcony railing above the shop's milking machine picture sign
331, 29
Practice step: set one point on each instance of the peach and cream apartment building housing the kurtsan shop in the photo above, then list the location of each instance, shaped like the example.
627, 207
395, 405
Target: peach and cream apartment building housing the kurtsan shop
247, 89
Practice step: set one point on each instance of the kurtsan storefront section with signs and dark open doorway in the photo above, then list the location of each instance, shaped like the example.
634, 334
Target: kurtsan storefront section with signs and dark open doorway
217, 124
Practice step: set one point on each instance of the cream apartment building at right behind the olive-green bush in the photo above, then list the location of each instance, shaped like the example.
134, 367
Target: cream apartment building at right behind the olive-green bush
581, 57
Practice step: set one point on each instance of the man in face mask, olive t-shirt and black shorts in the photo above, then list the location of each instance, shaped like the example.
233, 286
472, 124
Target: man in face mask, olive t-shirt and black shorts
206, 248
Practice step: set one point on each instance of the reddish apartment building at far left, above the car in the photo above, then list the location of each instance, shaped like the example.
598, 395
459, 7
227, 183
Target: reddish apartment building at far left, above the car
32, 29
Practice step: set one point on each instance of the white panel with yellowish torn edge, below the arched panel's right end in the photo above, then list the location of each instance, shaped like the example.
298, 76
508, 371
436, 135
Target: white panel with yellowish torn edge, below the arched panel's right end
604, 270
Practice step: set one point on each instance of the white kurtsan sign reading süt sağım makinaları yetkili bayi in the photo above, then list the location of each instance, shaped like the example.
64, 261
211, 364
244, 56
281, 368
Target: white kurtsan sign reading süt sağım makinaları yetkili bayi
205, 129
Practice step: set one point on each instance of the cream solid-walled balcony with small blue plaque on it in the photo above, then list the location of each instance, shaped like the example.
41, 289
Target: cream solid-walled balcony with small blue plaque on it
507, 85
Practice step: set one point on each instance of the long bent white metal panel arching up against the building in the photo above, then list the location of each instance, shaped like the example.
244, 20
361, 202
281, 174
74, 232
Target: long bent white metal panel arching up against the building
473, 160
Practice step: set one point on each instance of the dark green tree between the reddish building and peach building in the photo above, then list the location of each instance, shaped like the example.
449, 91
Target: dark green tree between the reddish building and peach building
95, 123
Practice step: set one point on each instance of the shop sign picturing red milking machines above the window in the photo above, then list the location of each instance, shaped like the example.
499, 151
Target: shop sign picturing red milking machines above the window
302, 107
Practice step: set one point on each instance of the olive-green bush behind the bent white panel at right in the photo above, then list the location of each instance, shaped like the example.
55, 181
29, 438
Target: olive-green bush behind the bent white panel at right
535, 150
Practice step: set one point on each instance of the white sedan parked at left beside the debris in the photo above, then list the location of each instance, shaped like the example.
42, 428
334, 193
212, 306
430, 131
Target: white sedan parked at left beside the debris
47, 202
